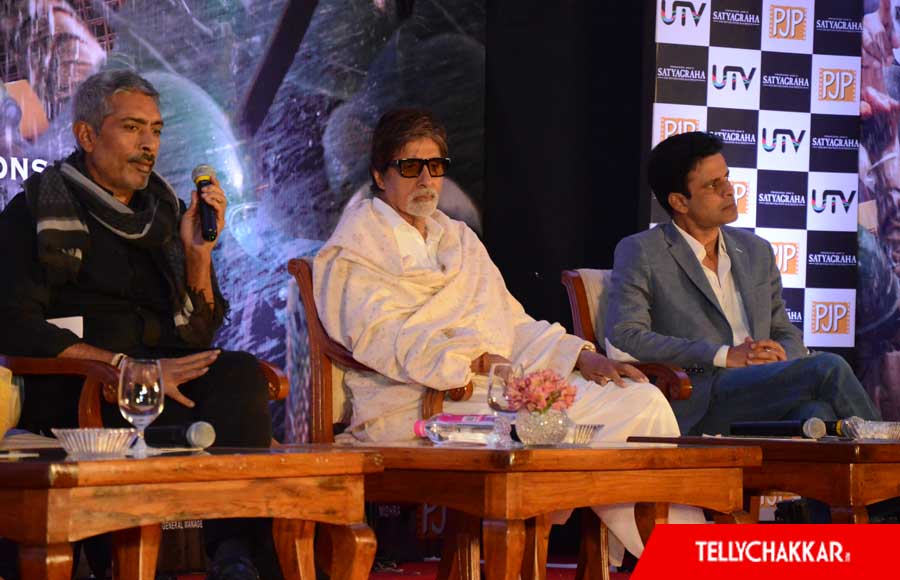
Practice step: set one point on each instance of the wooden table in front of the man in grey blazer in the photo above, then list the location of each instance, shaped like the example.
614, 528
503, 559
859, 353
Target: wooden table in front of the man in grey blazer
847, 475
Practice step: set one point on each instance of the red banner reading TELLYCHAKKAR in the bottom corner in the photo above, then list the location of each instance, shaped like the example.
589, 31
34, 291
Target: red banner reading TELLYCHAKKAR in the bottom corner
769, 551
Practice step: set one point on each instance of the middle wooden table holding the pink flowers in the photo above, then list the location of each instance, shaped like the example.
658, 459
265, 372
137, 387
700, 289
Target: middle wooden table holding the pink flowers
506, 488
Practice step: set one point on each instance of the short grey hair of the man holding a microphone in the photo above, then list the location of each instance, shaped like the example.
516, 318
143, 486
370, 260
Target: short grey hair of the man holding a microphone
91, 103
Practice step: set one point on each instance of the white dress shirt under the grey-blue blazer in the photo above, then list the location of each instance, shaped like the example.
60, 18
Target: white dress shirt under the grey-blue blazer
730, 300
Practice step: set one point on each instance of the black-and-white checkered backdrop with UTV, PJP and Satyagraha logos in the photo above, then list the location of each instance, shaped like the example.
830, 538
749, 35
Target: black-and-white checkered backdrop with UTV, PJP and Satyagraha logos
778, 82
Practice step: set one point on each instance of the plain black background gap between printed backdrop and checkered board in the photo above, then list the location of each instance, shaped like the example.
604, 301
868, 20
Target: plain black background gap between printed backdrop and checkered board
566, 123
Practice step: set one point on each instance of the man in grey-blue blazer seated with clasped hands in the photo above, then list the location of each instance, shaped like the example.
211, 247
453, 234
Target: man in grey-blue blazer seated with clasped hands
705, 296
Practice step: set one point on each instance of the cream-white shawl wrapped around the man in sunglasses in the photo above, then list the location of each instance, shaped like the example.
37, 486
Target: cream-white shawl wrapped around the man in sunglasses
422, 327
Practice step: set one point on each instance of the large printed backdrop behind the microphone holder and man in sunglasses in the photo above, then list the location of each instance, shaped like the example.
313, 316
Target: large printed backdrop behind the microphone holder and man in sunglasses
279, 96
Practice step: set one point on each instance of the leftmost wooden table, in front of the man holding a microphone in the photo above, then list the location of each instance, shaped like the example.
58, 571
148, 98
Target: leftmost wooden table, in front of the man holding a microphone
46, 502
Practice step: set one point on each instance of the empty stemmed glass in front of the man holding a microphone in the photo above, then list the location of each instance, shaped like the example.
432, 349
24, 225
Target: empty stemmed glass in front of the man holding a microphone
140, 397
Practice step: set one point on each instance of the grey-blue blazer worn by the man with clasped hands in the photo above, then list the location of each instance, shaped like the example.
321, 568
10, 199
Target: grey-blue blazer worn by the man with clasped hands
662, 308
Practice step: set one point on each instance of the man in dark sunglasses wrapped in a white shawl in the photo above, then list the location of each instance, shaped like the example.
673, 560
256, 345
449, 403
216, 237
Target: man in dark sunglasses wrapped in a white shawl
414, 295
